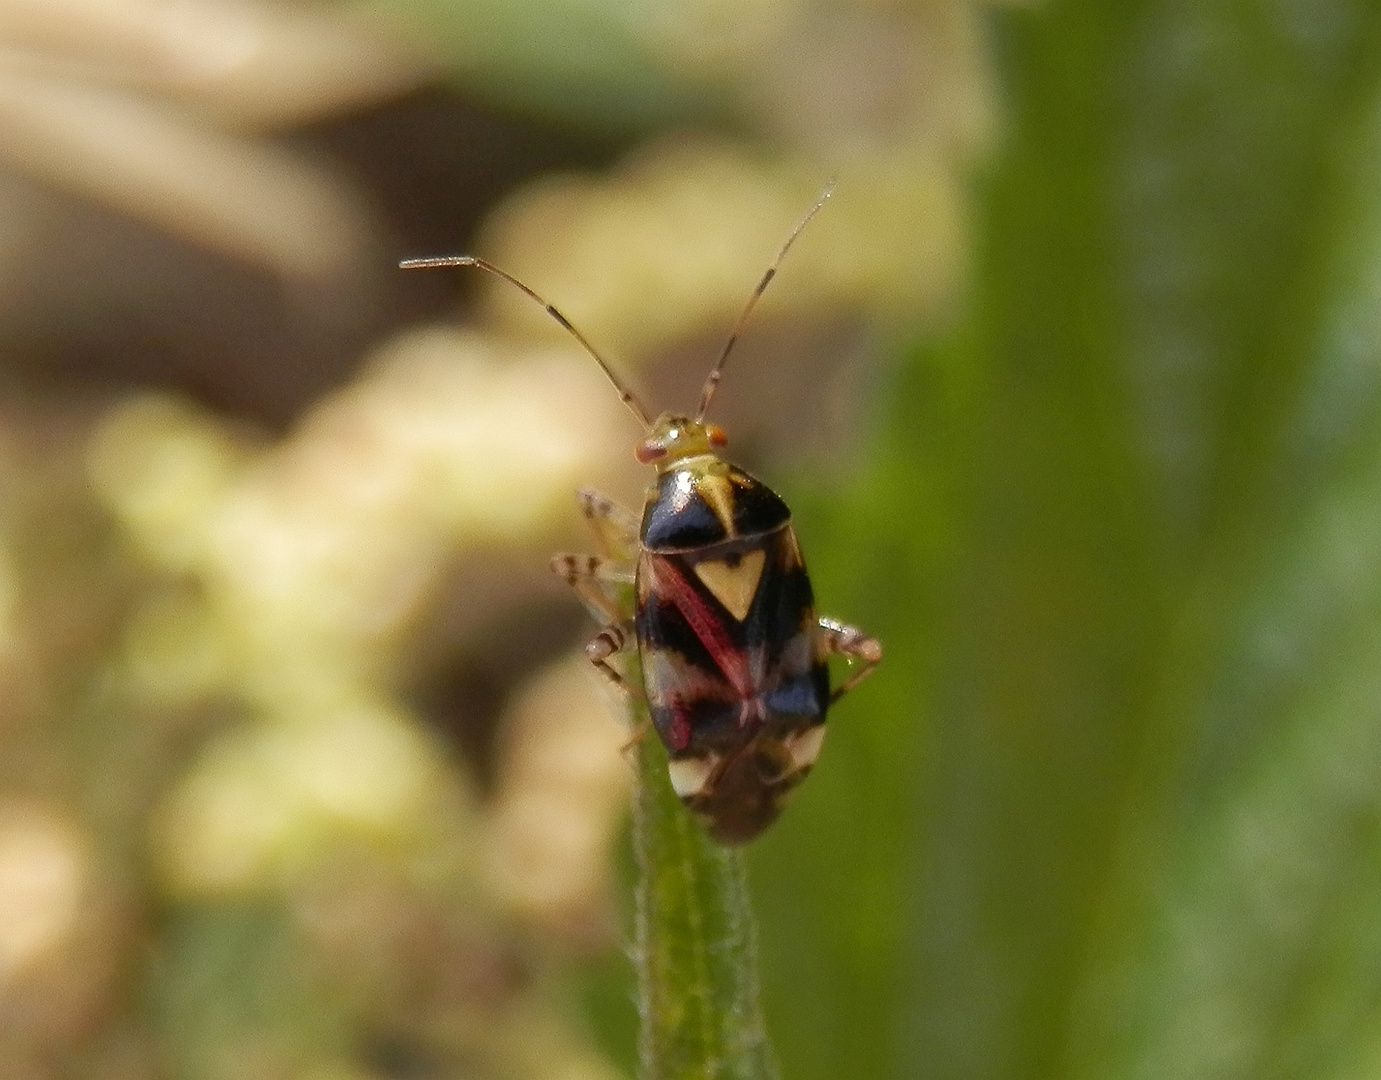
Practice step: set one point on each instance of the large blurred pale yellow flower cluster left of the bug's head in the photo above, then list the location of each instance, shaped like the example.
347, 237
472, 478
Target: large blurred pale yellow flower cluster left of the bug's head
317, 553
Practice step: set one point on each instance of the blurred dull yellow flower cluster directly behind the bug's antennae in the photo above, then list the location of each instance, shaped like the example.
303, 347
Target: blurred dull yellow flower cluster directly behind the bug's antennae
669, 247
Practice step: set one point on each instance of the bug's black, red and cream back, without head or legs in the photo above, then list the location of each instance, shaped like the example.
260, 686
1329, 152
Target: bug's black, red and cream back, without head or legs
726, 626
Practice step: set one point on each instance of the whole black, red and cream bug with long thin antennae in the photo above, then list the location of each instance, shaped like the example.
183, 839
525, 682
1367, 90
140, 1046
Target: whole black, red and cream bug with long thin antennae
734, 658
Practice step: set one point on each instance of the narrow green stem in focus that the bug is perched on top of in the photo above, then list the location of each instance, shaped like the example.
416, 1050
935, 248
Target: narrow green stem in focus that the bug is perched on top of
695, 943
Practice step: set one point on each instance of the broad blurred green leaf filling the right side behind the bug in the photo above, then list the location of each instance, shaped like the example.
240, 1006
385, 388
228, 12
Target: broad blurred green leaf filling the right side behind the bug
1111, 809
